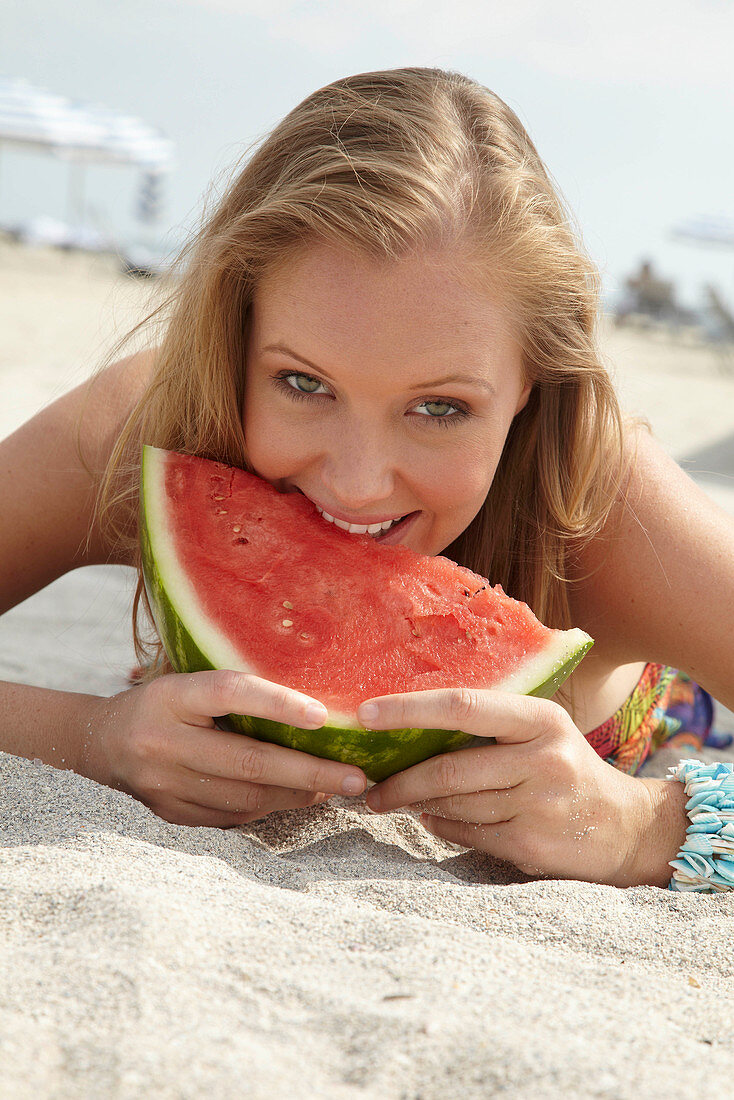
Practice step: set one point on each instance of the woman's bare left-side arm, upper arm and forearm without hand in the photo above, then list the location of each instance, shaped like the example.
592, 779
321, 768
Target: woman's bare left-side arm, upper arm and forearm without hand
48, 492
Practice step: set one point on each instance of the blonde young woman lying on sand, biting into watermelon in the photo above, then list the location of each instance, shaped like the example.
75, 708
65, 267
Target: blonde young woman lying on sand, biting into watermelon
389, 312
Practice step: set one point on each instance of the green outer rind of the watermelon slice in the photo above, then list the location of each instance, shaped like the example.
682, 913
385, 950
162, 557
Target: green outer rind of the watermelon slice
380, 754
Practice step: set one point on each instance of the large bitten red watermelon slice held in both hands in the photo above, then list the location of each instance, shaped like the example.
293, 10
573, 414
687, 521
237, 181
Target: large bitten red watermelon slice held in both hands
243, 577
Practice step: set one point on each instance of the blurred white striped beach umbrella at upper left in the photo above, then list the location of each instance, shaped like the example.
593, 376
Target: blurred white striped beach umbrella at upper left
81, 134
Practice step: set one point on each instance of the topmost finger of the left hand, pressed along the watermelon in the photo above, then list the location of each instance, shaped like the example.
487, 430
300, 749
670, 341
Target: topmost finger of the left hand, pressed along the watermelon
205, 696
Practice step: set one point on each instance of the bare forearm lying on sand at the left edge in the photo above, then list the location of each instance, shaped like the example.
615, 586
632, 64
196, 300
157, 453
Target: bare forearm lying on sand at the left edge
53, 727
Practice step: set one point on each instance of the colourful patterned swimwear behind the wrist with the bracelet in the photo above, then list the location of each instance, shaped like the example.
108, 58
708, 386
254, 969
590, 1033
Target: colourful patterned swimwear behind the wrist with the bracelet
666, 708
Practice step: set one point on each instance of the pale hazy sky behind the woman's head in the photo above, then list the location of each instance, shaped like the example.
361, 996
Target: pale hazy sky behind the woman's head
630, 104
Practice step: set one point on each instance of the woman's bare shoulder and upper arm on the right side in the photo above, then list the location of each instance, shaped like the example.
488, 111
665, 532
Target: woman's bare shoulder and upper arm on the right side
659, 584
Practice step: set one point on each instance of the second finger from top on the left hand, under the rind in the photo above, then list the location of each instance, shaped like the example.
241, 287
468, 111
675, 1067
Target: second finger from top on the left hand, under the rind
235, 757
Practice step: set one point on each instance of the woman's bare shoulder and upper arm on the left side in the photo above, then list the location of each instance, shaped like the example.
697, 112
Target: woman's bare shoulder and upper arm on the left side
50, 475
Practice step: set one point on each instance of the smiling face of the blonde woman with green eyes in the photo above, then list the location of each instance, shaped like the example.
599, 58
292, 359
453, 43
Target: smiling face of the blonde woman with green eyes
381, 391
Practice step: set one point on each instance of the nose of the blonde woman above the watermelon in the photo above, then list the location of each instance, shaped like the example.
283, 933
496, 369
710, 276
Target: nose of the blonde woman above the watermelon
359, 470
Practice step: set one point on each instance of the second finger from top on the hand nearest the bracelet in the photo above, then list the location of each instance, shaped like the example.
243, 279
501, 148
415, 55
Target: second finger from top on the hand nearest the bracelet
465, 772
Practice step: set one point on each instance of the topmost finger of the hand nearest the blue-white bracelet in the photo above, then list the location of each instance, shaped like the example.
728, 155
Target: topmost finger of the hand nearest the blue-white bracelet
479, 712
